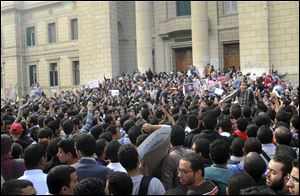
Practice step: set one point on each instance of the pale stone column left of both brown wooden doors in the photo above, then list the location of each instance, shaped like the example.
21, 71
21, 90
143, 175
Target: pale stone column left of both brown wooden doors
143, 36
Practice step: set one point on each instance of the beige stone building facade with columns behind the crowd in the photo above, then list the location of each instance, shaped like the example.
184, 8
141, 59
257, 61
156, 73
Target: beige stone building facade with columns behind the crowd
63, 45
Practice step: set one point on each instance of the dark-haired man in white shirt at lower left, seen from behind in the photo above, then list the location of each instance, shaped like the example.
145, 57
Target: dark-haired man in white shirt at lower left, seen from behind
35, 157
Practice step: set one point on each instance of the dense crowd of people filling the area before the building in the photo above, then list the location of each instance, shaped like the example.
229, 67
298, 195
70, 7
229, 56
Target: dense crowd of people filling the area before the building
229, 133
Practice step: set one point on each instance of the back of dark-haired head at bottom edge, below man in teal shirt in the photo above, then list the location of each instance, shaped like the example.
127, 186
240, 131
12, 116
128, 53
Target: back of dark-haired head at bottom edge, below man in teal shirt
238, 181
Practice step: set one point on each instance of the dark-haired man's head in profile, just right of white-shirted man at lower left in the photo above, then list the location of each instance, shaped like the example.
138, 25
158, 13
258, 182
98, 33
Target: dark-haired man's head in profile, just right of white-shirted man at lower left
66, 151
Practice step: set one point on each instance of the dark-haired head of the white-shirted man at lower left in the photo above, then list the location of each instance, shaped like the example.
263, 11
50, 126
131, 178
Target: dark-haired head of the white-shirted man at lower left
35, 156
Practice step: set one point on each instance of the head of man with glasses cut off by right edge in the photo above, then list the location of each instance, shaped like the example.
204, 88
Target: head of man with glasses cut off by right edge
293, 182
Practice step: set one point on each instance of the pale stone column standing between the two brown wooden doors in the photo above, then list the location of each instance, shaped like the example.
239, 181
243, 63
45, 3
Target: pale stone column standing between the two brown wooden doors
200, 36
